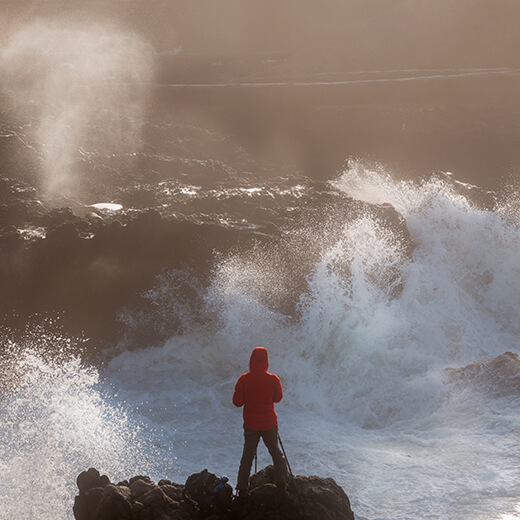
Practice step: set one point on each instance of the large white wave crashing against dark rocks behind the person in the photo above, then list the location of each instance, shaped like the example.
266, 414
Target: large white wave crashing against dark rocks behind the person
378, 322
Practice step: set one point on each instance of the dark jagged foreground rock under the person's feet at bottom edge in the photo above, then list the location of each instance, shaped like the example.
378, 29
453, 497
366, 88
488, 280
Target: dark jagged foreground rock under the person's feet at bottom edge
205, 496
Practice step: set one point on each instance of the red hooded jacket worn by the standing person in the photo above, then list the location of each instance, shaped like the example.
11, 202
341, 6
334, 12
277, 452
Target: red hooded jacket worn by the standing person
257, 391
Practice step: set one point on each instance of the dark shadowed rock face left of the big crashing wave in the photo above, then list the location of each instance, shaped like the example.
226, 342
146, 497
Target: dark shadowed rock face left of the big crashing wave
87, 269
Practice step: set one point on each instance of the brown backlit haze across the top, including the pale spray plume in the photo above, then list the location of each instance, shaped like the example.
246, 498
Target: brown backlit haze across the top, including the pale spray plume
340, 79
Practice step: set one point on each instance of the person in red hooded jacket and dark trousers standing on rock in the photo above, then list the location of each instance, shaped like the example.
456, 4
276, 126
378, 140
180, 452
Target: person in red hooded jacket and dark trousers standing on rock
257, 391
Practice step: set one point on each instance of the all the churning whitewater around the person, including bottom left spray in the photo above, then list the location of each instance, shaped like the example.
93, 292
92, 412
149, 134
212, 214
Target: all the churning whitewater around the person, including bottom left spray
372, 363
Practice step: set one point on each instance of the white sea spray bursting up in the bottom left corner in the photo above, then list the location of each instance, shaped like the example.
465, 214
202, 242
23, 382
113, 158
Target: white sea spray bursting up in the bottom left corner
57, 418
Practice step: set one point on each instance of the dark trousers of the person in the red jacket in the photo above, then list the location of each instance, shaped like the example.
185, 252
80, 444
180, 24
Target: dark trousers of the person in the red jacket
251, 439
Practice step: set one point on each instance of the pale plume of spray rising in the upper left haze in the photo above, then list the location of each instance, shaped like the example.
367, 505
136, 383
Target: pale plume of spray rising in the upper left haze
83, 91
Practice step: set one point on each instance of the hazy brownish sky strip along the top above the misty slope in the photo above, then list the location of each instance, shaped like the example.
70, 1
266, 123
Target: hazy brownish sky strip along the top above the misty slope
357, 33
